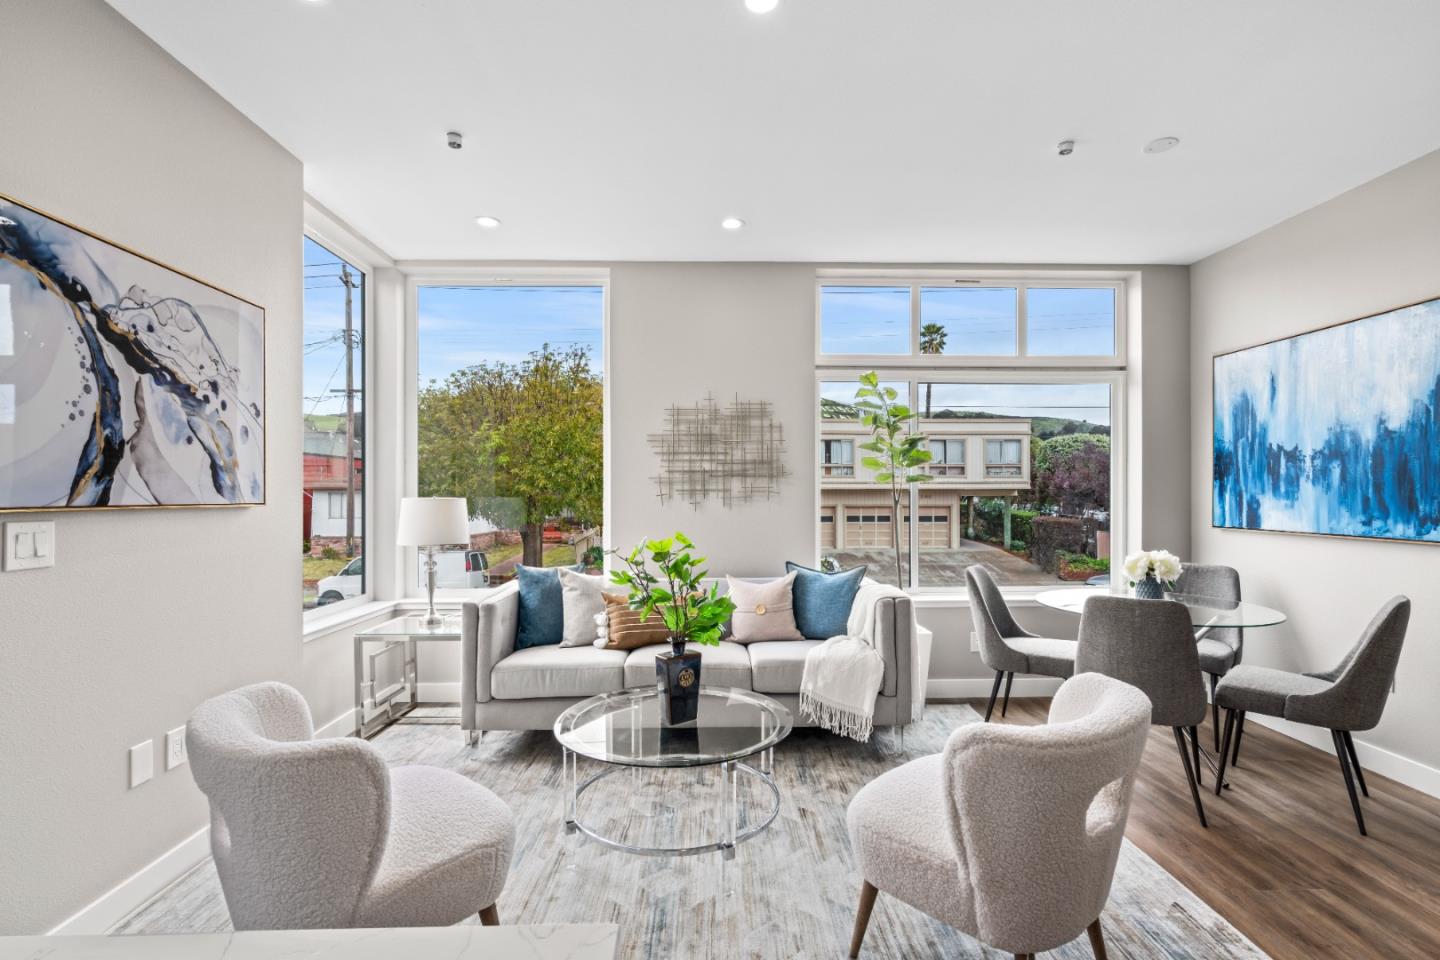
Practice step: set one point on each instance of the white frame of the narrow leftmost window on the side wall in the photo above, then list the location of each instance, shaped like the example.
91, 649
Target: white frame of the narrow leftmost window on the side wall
352, 251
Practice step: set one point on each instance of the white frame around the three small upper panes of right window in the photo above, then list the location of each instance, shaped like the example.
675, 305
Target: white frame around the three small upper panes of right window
1020, 280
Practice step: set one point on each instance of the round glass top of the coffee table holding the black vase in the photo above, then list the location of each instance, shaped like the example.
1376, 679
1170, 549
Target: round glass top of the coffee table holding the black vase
627, 728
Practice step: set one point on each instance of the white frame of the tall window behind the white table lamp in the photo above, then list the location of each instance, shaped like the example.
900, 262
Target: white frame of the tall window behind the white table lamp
418, 277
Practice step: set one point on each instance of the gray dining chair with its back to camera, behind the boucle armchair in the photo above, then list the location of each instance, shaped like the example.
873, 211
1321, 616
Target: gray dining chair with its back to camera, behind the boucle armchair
1151, 644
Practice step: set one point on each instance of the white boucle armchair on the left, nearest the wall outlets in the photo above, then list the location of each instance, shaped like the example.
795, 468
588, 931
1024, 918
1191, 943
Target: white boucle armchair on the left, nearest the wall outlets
323, 834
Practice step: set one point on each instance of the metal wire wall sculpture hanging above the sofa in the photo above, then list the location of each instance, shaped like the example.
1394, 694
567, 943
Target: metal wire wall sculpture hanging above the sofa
734, 454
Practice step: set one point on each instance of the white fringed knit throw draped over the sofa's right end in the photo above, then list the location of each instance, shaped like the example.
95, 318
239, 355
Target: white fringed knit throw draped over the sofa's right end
845, 674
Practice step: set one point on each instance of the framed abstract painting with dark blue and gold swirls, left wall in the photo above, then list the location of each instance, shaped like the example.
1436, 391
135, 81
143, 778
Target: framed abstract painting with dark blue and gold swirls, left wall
123, 384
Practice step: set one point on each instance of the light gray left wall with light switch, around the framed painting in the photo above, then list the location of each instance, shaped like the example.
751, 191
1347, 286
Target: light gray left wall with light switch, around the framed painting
146, 612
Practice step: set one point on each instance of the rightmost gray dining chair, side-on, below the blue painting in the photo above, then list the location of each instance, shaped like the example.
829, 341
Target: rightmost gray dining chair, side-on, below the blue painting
1344, 700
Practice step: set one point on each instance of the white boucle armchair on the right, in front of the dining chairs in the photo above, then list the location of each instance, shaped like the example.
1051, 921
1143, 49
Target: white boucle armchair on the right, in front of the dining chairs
1013, 833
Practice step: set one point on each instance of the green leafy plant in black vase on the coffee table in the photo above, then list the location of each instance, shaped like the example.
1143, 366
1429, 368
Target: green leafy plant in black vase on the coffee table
665, 578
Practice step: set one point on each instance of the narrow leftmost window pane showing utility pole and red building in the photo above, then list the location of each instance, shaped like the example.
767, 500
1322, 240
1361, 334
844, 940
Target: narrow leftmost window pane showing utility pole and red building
333, 434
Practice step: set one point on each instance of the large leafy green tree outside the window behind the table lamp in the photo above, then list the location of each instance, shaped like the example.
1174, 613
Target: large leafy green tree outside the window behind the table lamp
522, 443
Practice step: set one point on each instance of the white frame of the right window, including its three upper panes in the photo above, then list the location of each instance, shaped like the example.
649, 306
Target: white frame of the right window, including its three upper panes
917, 369
